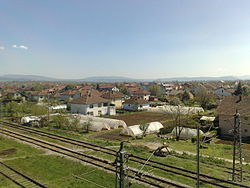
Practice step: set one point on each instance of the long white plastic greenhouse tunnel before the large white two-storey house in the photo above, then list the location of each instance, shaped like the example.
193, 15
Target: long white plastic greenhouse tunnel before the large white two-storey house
98, 123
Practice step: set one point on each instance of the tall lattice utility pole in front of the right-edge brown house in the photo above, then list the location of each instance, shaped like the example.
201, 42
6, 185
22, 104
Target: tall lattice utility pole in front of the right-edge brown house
237, 150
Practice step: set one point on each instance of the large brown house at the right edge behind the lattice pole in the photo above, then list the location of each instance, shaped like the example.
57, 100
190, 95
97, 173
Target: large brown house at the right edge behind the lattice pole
226, 112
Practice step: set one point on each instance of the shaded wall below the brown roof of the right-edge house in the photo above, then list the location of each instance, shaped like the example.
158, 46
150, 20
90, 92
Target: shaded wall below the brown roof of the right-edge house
226, 124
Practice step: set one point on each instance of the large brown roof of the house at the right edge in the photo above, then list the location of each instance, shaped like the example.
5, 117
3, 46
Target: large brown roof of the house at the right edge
229, 105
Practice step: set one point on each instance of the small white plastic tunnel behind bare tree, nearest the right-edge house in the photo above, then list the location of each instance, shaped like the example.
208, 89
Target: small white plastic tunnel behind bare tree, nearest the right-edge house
186, 133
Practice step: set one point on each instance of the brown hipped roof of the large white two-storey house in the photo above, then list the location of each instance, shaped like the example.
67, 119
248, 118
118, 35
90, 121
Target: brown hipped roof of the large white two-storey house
89, 99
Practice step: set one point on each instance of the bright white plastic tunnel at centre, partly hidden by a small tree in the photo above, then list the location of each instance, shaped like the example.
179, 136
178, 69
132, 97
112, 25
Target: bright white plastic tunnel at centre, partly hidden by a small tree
135, 130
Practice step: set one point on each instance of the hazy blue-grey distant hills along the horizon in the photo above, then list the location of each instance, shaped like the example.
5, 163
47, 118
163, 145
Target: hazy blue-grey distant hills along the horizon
19, 77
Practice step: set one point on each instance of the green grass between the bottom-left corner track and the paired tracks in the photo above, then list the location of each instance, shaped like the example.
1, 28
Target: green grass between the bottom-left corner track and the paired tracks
52, 170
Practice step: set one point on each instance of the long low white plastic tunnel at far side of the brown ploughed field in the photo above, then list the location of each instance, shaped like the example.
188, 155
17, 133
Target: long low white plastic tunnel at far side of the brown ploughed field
169, 109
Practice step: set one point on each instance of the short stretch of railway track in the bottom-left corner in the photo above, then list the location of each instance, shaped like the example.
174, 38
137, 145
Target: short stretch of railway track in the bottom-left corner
19, 178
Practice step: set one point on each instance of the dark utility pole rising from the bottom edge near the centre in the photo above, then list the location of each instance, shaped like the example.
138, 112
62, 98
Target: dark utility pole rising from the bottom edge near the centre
121, 168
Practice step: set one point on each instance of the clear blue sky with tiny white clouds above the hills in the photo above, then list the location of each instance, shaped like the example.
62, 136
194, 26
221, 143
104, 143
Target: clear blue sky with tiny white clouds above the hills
131, 38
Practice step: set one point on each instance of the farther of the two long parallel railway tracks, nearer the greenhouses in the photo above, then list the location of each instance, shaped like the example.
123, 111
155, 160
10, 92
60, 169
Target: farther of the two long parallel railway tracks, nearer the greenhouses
217, 182
